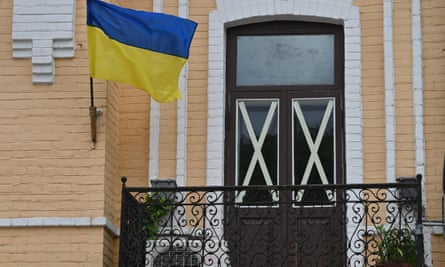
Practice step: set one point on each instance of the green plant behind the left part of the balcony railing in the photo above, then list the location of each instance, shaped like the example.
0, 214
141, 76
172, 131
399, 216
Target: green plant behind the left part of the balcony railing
156, 207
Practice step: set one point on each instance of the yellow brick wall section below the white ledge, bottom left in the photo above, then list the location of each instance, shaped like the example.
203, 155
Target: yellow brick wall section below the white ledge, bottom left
64, 247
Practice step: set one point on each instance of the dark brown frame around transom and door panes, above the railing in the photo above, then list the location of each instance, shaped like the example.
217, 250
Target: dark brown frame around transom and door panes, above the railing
285, 92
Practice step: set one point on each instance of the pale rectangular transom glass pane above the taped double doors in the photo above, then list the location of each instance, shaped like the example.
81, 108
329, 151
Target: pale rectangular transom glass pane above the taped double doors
285, 60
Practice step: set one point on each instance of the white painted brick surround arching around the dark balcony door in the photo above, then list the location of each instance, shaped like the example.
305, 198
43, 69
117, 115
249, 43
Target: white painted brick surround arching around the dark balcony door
234, 12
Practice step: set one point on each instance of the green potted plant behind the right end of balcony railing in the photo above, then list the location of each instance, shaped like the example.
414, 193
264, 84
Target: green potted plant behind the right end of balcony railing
397, 248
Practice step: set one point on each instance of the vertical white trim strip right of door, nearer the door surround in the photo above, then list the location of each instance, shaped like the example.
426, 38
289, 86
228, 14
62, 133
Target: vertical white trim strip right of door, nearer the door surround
390, 124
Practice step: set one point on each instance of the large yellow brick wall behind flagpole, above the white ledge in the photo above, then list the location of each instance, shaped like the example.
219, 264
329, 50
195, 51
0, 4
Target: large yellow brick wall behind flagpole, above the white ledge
47, 164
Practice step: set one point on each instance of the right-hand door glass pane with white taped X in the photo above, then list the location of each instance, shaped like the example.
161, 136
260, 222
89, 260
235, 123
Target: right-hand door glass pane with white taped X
314, 146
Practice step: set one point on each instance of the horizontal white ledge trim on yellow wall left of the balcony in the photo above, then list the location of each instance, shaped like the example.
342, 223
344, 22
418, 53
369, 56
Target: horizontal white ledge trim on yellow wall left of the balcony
60, 222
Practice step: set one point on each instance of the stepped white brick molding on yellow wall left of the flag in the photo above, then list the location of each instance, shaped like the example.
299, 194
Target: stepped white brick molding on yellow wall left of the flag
42, 31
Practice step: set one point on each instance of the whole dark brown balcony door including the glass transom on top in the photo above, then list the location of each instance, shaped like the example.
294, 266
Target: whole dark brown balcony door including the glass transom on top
285, 144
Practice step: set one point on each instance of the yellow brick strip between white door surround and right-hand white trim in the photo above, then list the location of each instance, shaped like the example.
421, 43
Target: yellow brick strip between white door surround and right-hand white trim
373, 90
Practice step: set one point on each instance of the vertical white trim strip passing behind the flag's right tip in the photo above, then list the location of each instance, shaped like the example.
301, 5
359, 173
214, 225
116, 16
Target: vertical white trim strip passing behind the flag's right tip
181, 144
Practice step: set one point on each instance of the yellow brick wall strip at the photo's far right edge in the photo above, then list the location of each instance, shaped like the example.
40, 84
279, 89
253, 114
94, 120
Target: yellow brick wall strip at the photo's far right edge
433, 31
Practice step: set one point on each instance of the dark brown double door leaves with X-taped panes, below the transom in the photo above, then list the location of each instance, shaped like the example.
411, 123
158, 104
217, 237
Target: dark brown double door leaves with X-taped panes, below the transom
285, 139
